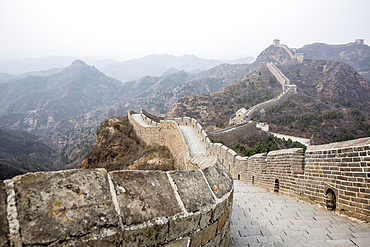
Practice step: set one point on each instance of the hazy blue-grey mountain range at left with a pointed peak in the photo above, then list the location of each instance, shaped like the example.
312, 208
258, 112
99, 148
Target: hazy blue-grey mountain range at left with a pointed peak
66, 107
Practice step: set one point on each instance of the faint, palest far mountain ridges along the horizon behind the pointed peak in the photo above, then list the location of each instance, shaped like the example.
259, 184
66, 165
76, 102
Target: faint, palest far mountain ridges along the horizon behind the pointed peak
133, 69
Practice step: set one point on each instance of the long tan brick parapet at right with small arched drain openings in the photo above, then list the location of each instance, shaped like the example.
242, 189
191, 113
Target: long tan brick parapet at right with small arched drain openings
338, 168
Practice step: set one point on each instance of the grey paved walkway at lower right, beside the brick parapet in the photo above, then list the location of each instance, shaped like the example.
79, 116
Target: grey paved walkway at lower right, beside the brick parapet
261, 218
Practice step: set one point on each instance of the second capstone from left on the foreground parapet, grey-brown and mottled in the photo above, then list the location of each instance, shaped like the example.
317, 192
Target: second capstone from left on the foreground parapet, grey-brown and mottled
144, 195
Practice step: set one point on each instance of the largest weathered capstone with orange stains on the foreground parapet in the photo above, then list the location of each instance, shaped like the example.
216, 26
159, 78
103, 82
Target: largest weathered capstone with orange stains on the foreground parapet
55, 205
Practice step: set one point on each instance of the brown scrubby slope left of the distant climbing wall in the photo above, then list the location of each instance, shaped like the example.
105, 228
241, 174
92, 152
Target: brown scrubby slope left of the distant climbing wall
218, 107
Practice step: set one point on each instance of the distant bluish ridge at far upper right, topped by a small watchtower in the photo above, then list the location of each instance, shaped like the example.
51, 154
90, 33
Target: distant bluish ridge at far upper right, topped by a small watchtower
355, 54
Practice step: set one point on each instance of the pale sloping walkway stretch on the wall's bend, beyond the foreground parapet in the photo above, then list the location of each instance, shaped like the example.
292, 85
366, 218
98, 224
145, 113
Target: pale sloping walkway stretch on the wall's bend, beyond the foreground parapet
193, 141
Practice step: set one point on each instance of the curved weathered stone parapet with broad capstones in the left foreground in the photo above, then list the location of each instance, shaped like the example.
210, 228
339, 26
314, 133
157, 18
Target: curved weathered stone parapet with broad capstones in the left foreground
120, 208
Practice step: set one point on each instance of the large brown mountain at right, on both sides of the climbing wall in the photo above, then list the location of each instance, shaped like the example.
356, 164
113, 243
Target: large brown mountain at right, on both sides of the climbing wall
332, 103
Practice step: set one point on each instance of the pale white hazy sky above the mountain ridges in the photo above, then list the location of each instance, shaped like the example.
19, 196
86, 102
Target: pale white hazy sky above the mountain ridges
212, 29
